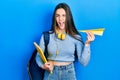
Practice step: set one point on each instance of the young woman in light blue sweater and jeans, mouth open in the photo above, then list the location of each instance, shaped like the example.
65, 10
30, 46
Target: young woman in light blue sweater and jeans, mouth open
64, 41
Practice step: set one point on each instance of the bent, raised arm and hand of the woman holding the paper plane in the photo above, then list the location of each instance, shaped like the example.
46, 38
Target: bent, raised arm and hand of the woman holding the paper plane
83, 51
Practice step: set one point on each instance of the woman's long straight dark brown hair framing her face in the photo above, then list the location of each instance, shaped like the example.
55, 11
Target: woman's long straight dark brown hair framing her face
69, 24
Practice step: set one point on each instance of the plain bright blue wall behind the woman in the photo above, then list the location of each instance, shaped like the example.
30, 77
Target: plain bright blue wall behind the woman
23, 21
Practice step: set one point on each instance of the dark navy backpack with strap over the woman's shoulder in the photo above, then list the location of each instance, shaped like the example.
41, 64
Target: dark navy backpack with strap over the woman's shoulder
34, 71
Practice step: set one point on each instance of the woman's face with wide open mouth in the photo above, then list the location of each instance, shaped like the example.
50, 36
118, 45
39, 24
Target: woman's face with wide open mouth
60, 16
